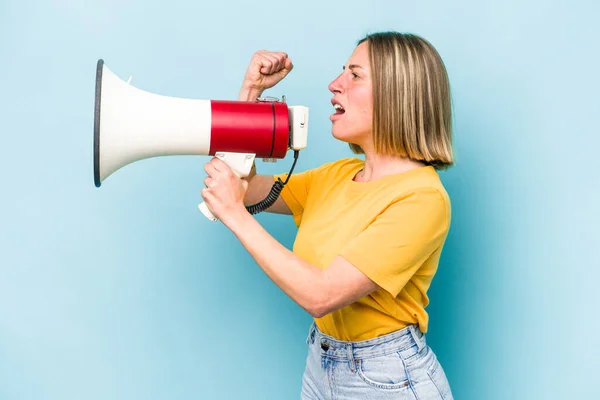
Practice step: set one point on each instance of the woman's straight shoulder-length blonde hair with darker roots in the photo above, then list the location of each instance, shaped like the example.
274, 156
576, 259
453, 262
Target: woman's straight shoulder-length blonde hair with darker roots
412, 115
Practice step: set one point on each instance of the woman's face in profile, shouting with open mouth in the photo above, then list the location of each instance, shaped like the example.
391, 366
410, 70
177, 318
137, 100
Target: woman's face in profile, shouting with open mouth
353, 99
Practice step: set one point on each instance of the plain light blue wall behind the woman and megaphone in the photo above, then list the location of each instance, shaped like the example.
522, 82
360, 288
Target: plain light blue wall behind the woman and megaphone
128, 292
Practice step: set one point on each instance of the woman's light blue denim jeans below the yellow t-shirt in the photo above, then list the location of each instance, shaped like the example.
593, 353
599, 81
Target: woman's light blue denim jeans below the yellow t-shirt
399, 365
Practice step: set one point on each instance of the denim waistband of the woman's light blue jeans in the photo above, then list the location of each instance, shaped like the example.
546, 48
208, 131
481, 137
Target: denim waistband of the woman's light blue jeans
385, 344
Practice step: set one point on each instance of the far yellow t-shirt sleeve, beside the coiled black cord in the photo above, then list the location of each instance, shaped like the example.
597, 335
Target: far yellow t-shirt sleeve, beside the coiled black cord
295, 192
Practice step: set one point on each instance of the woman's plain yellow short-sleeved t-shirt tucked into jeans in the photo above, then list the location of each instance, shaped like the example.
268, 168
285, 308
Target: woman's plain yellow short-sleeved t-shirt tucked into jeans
392, 229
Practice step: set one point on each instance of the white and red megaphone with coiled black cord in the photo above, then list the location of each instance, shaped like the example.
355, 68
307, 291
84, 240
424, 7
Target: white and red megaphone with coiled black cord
131, 124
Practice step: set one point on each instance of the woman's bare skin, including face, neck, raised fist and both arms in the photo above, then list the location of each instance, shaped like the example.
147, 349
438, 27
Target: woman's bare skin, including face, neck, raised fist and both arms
318, 291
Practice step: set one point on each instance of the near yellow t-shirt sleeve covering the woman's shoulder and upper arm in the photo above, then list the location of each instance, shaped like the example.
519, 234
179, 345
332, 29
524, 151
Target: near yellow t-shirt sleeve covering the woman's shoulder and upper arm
393, 247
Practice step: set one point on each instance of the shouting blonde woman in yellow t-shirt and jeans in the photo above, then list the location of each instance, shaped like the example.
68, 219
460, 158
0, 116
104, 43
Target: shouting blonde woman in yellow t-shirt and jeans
370, 232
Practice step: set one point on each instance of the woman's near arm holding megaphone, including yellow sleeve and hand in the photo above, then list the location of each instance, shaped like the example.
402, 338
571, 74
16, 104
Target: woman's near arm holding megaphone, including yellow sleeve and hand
396, 250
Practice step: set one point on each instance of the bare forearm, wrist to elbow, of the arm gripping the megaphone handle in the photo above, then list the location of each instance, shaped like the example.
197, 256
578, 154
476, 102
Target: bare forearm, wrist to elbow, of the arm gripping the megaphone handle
301, 281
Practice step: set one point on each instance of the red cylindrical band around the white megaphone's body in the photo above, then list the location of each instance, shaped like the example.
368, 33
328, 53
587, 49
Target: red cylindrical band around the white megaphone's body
249, 127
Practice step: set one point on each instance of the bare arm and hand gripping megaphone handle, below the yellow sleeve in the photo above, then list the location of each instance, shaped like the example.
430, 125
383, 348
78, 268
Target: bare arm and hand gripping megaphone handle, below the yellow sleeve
318, 291
